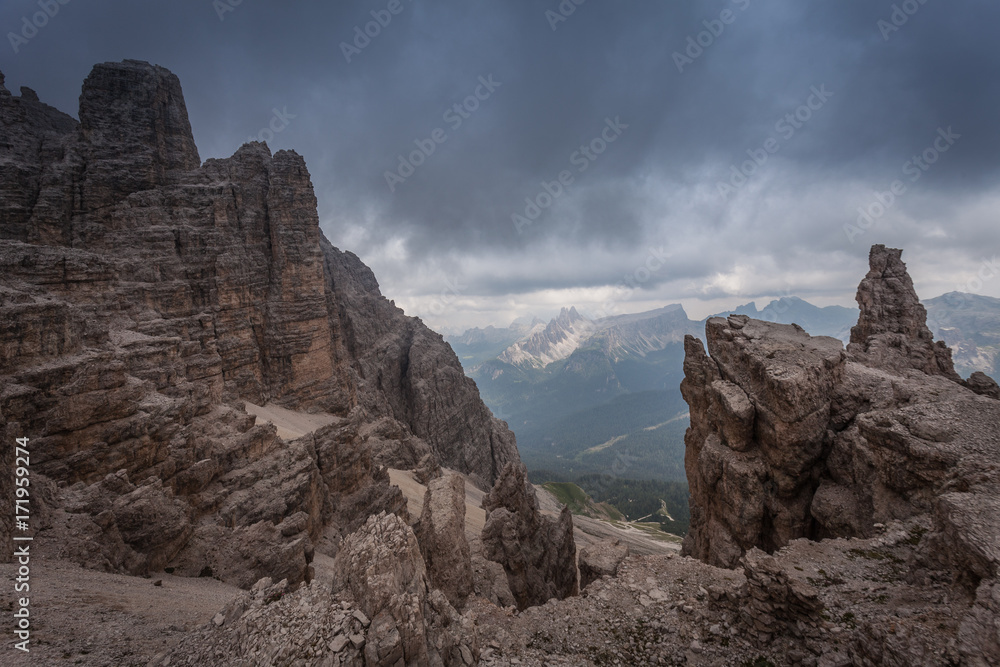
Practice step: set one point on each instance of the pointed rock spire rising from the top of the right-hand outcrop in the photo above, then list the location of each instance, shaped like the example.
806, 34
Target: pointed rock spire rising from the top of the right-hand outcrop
892, 331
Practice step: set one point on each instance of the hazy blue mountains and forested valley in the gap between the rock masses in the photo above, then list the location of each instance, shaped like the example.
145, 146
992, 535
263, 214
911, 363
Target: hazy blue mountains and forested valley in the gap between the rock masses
584, 395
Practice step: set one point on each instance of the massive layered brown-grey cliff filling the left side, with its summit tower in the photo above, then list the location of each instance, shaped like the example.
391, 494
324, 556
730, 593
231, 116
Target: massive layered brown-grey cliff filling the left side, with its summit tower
144, 295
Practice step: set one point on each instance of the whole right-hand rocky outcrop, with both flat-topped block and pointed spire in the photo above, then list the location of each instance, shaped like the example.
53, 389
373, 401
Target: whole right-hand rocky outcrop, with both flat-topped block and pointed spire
792, 437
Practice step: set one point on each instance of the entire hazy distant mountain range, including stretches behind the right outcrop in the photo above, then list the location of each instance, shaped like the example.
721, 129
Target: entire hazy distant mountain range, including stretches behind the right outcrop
589, 396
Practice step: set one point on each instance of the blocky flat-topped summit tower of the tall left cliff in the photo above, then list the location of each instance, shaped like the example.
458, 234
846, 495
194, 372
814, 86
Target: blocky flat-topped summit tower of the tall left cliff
132, 105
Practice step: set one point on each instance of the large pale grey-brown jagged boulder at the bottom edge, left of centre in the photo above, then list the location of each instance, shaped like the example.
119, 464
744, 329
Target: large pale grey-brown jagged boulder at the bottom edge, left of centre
380, 566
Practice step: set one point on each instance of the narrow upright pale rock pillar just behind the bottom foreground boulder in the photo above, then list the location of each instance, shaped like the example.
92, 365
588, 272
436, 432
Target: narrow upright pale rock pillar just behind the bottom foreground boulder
441, 533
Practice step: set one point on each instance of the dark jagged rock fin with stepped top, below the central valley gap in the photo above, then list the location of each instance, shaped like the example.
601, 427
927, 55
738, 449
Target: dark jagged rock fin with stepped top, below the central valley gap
538, 553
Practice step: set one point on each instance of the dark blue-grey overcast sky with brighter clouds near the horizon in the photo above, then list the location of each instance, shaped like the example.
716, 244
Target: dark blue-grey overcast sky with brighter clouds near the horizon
711, 153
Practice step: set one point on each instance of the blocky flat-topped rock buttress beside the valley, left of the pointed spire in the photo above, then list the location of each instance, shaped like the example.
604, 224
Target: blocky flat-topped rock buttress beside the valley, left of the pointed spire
760, 406
